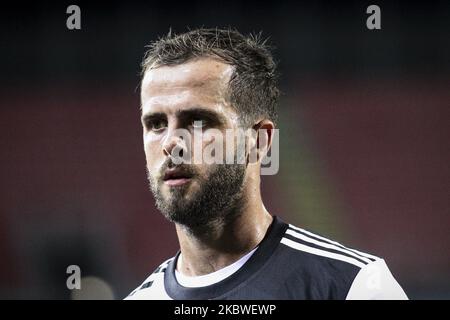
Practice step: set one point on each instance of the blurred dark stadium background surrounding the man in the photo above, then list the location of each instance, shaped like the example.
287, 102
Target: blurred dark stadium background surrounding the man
364, 130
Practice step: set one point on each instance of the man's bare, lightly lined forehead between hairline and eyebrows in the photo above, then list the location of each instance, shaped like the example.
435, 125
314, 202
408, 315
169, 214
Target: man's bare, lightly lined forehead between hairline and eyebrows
201, 82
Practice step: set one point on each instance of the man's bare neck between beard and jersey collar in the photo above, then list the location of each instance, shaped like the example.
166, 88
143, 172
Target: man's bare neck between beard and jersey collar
224, 242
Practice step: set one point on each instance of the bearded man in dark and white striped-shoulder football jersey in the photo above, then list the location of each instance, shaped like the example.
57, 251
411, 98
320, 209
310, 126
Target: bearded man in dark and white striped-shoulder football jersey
231, 247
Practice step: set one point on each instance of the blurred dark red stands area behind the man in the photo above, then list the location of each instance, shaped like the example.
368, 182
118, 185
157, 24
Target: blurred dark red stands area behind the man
73, 179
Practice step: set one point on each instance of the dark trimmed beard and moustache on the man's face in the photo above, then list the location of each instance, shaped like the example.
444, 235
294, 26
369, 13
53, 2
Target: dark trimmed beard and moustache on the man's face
218, 200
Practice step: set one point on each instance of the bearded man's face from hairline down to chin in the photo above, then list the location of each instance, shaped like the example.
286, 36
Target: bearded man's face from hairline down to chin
174, 98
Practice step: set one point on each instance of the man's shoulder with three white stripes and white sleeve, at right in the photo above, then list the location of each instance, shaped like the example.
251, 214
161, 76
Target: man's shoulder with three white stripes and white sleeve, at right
335, 270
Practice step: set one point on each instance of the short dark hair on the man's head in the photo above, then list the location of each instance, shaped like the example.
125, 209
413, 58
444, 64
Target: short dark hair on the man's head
252, 89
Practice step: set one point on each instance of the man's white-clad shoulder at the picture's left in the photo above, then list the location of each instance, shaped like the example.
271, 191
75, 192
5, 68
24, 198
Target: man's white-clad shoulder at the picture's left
153, 285
